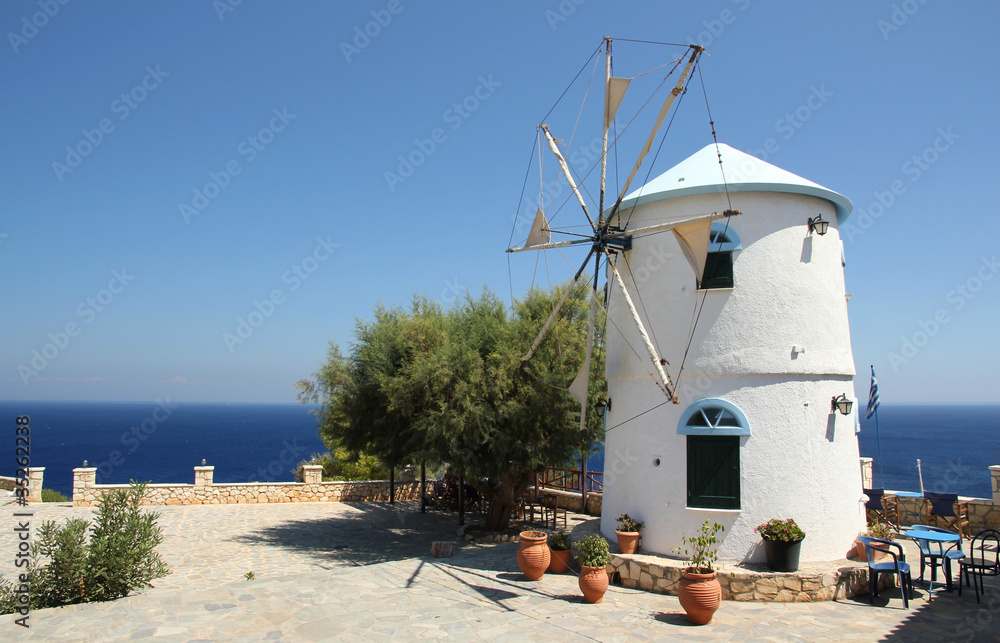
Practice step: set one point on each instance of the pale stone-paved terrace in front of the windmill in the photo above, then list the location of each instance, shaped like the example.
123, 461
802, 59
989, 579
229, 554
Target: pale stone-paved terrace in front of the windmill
339, 571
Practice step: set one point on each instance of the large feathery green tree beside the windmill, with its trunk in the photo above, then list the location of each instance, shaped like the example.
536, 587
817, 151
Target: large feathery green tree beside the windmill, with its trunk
424, 384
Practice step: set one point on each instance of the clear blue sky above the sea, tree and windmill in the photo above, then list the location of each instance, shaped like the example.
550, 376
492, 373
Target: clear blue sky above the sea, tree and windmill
156, 99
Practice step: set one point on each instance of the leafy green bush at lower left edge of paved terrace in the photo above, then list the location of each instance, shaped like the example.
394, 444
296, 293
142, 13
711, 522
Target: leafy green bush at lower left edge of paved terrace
68, 565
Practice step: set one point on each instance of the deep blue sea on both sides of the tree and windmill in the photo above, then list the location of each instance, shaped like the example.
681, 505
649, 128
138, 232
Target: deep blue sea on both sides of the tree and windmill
245, 442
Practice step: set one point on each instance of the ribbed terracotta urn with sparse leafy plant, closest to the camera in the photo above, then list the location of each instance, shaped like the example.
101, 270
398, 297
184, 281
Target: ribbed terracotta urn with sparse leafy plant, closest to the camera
698, 590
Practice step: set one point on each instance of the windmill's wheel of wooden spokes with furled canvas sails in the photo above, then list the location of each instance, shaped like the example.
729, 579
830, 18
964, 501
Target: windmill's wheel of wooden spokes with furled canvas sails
608, 235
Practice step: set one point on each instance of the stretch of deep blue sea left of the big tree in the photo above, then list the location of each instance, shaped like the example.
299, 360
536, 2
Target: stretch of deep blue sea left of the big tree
162, 442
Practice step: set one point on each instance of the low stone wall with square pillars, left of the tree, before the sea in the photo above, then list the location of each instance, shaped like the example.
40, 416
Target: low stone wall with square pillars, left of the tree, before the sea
204, 491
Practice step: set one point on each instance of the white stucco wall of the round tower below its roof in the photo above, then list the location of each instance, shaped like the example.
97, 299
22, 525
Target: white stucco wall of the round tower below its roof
801, 460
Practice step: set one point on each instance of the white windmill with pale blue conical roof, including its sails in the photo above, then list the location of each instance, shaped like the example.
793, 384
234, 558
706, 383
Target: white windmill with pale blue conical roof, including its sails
757, 363
